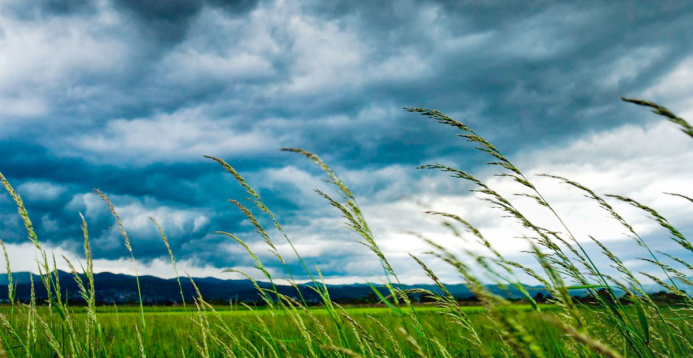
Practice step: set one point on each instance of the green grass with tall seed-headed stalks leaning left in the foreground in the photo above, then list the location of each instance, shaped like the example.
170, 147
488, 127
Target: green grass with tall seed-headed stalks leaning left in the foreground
623, 321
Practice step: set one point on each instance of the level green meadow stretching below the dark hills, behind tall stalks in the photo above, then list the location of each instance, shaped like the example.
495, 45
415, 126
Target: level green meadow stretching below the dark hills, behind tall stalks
174, 331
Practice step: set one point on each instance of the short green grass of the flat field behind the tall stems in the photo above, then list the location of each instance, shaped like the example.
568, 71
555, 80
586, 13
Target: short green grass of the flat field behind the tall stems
172, 322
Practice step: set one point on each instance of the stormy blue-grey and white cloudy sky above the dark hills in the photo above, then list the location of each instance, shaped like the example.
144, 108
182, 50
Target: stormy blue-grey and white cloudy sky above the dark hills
127, 96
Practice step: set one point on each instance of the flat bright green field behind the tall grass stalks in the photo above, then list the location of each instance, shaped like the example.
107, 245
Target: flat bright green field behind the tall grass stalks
265, 330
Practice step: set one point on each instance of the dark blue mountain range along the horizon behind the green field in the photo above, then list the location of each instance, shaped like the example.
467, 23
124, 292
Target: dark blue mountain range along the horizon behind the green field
119, 288
